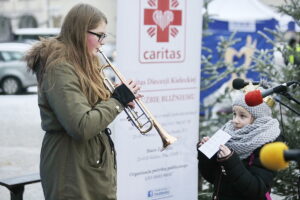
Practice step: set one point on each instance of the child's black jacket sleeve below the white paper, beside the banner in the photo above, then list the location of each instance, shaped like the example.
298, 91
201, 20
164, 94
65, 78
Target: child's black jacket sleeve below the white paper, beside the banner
207, 167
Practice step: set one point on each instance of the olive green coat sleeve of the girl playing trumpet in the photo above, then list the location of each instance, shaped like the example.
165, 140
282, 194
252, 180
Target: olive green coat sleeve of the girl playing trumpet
70, 106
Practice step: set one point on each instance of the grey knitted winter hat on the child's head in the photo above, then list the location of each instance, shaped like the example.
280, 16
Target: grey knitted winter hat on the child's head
262, 110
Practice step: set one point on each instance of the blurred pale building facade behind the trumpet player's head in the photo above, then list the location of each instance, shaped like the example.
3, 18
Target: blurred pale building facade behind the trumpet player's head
45, 13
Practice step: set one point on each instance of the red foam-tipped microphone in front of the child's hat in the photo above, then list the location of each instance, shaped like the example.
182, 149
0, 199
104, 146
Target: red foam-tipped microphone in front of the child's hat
255, 97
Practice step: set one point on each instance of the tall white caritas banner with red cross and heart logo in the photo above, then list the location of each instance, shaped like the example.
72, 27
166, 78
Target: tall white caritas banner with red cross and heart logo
158, 46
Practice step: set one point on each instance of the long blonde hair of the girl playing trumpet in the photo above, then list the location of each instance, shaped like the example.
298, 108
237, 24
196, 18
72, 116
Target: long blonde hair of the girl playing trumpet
80, 19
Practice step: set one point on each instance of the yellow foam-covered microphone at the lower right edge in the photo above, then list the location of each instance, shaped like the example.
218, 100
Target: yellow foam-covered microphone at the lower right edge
275, 156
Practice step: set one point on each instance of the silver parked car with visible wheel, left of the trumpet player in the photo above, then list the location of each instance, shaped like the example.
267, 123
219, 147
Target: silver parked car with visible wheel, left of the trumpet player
14, 76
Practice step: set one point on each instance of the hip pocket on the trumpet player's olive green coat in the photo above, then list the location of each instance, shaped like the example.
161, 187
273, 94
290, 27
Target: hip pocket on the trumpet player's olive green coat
96, 152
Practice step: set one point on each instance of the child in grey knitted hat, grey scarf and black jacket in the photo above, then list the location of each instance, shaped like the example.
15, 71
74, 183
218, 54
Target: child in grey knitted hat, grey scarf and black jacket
235, 171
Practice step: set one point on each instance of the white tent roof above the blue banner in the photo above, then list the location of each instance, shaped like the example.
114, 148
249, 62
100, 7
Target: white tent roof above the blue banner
246, 10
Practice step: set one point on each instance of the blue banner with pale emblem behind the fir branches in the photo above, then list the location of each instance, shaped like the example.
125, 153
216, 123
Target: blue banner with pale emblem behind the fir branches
240, 54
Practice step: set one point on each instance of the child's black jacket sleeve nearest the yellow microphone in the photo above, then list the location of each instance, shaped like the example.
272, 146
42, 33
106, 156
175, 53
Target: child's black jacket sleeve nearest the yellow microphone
252, 182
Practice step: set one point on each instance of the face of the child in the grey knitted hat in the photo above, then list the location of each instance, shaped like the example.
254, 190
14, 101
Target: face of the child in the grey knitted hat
241, 117
